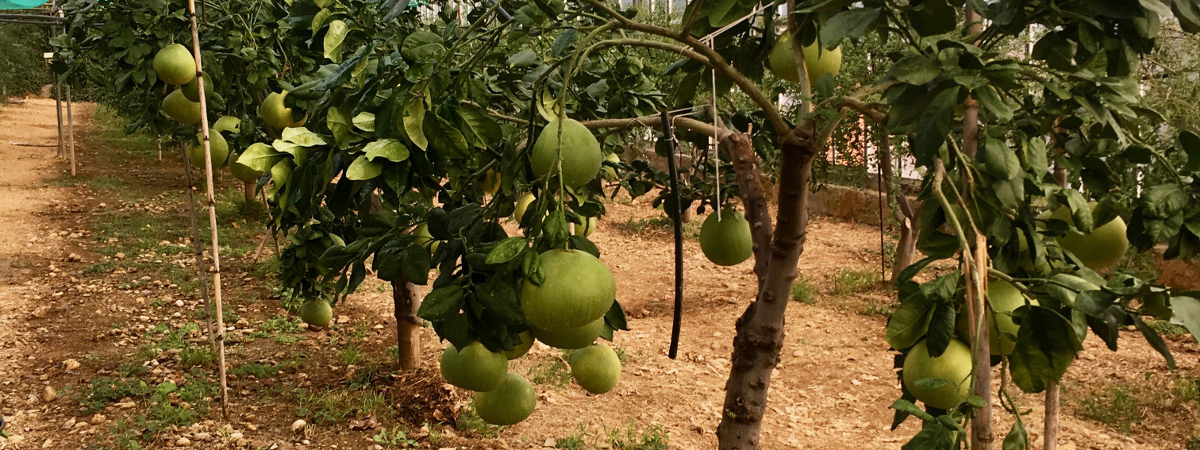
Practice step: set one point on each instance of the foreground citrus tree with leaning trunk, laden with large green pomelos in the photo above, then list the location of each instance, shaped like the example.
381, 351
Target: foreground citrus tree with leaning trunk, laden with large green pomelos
413, 131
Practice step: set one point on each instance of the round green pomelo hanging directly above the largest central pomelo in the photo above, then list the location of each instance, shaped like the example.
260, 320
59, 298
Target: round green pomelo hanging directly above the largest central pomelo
581, 153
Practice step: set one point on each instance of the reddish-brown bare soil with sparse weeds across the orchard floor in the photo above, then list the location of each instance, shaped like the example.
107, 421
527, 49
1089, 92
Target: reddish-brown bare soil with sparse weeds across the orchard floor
74, 310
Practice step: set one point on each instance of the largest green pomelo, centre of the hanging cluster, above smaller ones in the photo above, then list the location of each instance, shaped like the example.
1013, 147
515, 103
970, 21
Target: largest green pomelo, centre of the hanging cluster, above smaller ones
578, 290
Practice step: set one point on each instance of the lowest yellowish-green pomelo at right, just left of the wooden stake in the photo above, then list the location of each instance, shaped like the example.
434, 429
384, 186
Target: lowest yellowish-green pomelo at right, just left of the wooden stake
955, 367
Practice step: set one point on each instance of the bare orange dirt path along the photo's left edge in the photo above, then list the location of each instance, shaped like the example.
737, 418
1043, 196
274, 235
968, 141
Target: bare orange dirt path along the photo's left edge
32, 245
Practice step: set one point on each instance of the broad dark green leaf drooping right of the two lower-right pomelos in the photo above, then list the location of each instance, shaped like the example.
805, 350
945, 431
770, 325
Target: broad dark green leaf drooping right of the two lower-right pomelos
1046, 347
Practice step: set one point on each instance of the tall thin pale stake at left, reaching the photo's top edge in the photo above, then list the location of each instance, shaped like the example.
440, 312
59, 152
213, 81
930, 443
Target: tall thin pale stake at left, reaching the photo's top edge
213, 209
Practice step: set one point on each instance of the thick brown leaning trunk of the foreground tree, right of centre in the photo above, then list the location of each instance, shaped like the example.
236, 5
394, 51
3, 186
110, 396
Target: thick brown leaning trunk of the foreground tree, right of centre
760, 331
